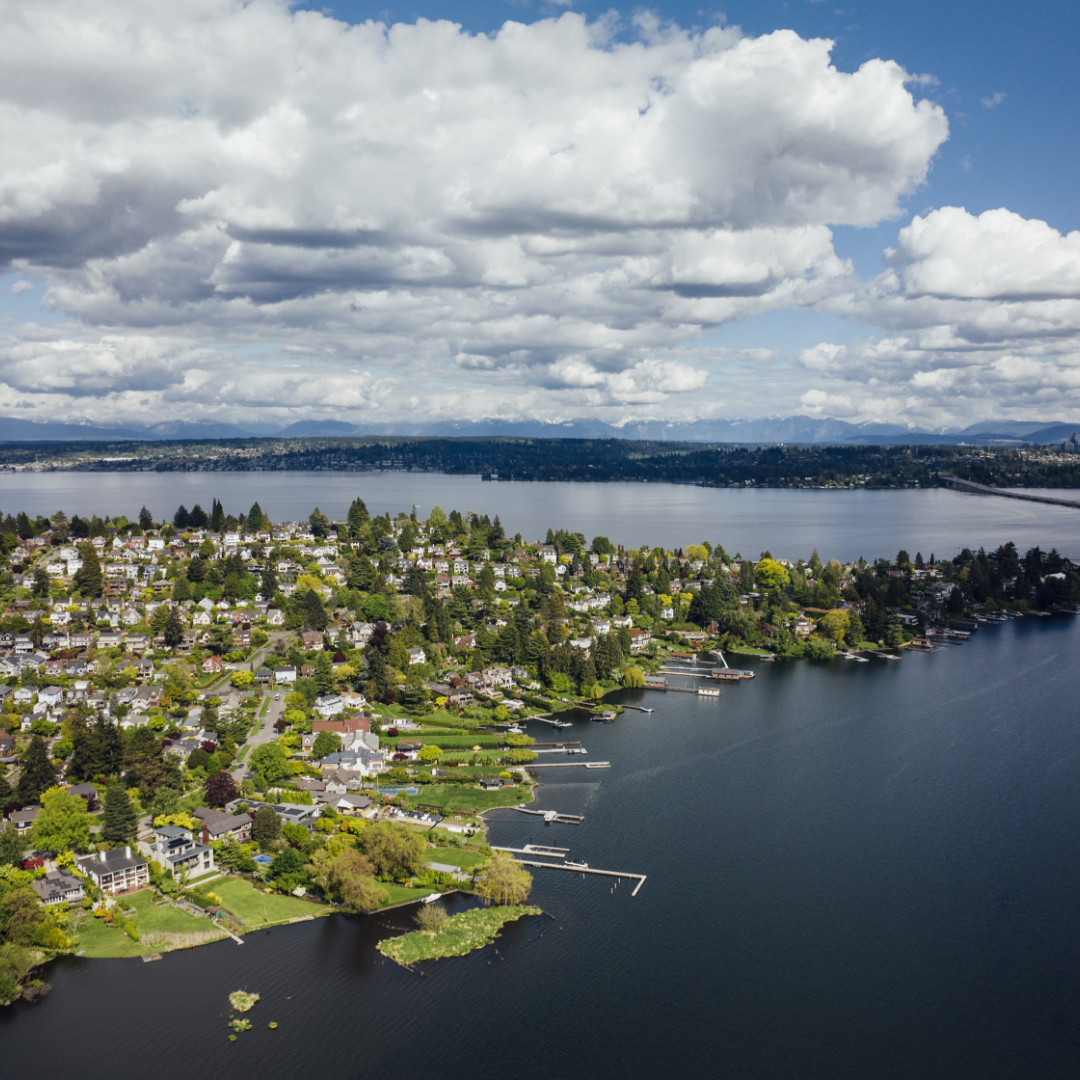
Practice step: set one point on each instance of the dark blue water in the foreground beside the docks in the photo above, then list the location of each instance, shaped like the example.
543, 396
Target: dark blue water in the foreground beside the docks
855, 871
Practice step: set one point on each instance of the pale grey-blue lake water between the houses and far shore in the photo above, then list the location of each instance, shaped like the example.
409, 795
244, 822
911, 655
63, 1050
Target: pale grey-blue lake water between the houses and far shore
790, 523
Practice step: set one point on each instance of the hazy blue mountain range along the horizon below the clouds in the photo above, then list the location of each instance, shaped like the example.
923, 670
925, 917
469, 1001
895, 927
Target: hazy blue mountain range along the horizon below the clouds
790, 429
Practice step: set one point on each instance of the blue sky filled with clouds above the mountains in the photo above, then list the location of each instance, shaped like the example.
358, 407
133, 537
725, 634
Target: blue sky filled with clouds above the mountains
264, 213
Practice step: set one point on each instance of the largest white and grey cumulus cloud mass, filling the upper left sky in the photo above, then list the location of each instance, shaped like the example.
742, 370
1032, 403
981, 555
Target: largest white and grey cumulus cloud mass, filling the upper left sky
542, 215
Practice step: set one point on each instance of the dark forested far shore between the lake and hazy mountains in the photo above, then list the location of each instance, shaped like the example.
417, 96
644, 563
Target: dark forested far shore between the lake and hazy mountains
558, 460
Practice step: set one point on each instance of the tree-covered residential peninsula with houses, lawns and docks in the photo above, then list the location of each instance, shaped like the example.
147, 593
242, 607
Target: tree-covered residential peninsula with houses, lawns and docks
217, 724
